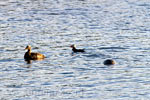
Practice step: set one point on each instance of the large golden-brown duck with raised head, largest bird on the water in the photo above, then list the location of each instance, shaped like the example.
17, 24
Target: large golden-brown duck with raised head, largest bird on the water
31, 55
